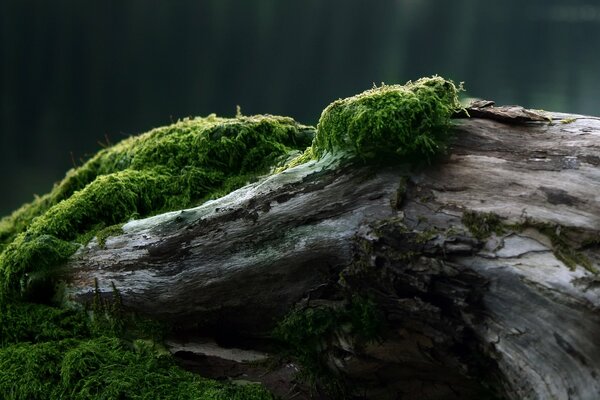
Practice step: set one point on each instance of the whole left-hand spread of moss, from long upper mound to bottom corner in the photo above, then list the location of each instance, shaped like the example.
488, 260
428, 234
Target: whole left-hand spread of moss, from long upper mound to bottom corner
52, 353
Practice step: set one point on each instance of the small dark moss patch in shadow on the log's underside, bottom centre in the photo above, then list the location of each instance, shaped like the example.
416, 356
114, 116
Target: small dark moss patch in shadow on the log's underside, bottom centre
308, 334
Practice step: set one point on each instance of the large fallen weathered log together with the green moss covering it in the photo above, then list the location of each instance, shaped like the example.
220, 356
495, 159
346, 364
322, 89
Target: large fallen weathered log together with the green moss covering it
378, 275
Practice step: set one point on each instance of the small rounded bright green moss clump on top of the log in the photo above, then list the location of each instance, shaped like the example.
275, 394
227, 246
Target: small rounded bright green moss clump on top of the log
409, 121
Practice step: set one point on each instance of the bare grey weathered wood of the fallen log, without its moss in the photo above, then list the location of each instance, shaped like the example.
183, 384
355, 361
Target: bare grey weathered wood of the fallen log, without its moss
514, 305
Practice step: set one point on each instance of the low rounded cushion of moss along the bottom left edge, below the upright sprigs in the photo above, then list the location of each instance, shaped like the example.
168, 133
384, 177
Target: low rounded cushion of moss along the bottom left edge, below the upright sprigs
105, 368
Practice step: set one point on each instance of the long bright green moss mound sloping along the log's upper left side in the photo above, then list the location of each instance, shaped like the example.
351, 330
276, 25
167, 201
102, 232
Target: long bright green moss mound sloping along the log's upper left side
169, 168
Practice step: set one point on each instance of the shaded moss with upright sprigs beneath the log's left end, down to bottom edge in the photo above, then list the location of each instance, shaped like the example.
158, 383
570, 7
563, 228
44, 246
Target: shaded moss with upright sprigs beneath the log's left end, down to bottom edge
54, 353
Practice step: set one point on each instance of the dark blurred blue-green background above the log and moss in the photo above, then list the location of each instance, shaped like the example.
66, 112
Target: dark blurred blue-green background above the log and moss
74, 74
